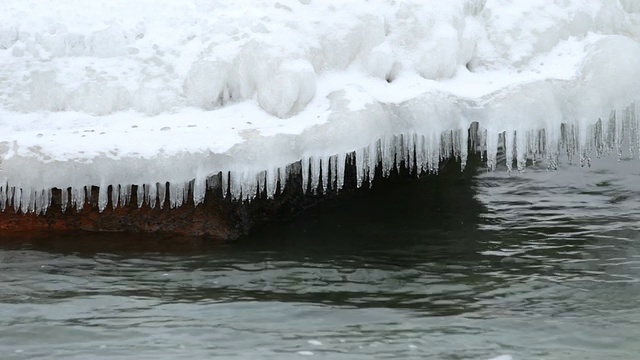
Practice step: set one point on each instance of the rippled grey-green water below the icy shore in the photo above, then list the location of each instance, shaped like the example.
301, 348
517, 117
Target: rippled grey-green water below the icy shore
540, 265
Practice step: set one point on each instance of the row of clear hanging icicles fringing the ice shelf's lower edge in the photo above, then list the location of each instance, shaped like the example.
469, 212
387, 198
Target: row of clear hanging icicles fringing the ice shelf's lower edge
618, 134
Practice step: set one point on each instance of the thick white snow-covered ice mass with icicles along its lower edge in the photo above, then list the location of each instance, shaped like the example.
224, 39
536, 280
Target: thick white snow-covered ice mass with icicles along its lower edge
148, 92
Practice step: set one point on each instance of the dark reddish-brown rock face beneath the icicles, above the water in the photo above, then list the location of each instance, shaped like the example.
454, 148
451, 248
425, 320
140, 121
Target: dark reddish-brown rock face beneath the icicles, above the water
217, 218
